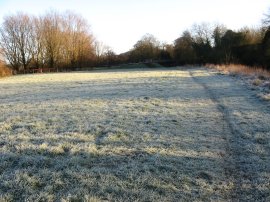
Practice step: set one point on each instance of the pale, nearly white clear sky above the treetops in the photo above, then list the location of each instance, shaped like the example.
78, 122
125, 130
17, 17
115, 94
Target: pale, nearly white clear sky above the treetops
120, 23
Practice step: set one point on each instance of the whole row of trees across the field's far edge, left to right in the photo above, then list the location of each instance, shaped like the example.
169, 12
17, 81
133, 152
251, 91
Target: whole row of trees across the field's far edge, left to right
65, 41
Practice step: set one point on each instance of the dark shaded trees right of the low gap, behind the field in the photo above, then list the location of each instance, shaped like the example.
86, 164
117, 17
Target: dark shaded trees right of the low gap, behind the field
204, 43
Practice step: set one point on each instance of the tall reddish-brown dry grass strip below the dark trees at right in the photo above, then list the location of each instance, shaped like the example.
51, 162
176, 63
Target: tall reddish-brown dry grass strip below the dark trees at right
237, 69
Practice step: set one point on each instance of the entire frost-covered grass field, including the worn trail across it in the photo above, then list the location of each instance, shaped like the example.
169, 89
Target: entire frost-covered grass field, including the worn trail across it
138, 135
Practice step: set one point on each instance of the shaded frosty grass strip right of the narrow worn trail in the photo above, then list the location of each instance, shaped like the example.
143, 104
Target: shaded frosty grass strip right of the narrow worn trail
247, 131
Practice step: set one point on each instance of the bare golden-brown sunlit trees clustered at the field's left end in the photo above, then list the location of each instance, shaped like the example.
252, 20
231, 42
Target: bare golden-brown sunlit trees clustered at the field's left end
52, 40
